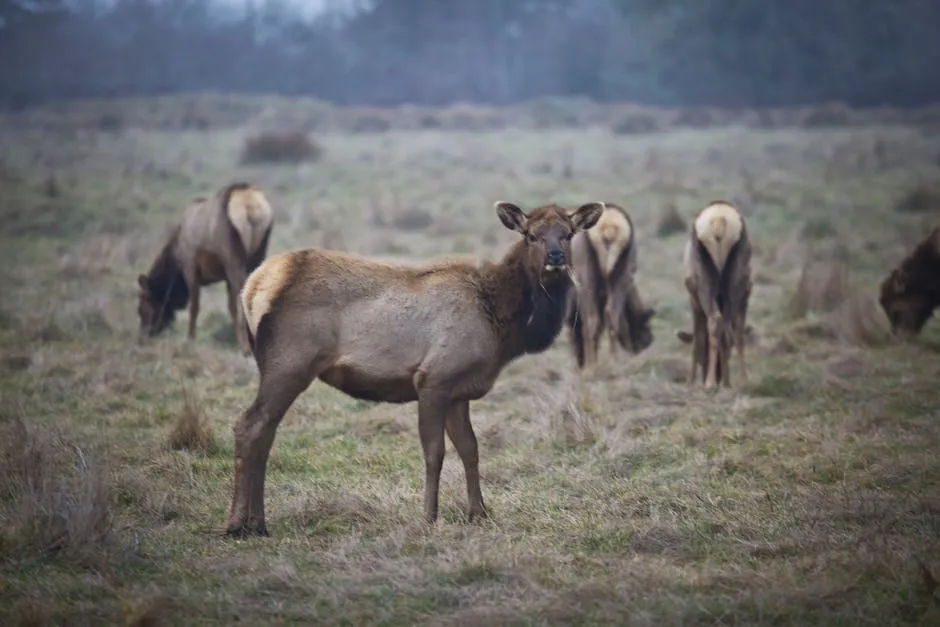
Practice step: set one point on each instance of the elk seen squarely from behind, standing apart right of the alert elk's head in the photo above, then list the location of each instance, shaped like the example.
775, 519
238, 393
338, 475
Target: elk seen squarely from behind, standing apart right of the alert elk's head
718, 278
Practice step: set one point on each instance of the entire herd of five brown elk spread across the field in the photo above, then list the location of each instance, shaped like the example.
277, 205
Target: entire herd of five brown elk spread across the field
441, 333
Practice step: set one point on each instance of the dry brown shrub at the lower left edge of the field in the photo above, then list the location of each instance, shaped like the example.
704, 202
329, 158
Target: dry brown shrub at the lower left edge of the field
54, 499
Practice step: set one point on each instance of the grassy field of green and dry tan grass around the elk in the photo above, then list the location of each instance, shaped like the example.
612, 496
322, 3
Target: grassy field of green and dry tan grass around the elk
810, 496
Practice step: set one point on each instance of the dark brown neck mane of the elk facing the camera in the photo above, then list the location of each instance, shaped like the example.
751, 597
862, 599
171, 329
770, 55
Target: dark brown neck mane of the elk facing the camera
527, 315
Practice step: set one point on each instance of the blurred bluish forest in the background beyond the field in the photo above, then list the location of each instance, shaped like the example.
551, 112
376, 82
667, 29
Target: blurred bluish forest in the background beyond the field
724, 53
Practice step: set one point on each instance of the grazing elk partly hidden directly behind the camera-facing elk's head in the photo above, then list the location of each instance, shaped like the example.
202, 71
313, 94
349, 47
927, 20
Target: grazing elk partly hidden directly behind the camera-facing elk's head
606, 298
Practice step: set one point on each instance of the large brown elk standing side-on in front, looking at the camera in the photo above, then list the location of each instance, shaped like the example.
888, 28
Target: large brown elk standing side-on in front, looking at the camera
438, 334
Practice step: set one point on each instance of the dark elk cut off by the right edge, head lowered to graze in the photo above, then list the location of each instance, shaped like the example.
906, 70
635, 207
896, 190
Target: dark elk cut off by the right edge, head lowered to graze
912, 291
